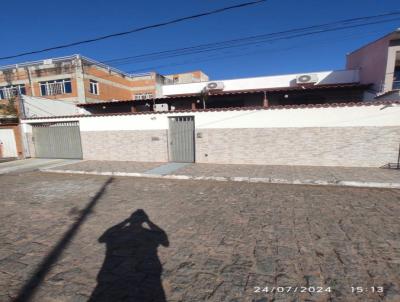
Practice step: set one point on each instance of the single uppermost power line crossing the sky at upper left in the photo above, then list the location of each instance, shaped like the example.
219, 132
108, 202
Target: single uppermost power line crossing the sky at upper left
178, 20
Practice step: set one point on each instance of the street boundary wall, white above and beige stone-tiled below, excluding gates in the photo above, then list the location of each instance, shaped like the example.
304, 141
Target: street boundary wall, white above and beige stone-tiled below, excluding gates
333, 136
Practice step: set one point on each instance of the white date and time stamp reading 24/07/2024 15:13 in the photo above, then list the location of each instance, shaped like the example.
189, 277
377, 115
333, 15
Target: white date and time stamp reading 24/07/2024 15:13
315, 289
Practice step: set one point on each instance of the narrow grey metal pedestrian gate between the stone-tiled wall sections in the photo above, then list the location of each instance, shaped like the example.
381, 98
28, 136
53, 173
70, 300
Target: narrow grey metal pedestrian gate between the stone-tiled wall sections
181, 139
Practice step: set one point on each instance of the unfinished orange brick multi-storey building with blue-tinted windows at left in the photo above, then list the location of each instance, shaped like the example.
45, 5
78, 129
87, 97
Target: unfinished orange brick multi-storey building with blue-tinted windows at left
82, 80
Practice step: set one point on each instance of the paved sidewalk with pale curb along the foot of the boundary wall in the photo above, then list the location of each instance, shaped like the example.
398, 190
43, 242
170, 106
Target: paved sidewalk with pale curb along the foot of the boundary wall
342, 176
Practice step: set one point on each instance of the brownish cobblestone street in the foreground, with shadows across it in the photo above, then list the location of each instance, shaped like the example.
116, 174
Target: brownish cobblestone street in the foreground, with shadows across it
76, 238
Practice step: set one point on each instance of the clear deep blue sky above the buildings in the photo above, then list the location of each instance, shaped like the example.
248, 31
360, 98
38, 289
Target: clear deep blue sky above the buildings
31, 25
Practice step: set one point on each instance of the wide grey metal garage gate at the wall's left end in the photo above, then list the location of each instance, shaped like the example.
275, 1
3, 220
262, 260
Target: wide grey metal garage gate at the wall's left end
57, 140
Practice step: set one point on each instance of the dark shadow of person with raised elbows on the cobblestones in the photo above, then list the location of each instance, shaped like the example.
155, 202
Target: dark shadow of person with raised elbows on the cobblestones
131, 270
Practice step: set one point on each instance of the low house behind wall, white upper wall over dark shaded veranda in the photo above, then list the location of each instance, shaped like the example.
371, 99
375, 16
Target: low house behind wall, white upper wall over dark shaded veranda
341, 86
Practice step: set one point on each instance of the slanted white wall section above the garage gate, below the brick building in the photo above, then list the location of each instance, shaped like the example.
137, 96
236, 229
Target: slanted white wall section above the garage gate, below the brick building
42, 107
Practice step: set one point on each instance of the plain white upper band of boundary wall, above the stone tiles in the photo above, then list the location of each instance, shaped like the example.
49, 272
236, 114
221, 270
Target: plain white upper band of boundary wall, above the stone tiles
356, 116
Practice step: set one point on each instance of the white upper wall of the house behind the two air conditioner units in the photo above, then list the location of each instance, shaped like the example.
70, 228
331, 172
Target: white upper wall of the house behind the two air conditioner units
324, 78
